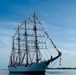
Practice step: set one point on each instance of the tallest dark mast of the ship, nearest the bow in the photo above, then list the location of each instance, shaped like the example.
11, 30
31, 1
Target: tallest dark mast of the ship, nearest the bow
36, 44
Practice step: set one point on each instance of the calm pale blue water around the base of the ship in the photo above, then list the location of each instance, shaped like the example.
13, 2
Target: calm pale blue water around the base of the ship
48, 72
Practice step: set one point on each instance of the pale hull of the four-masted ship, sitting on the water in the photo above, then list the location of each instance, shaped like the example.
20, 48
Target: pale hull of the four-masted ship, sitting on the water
33, 68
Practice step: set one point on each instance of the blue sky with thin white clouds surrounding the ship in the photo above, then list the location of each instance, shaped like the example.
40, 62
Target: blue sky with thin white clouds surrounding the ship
58, 18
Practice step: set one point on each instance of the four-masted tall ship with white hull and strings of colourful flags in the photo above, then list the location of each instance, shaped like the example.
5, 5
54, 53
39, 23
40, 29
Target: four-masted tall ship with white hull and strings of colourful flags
29, 47
